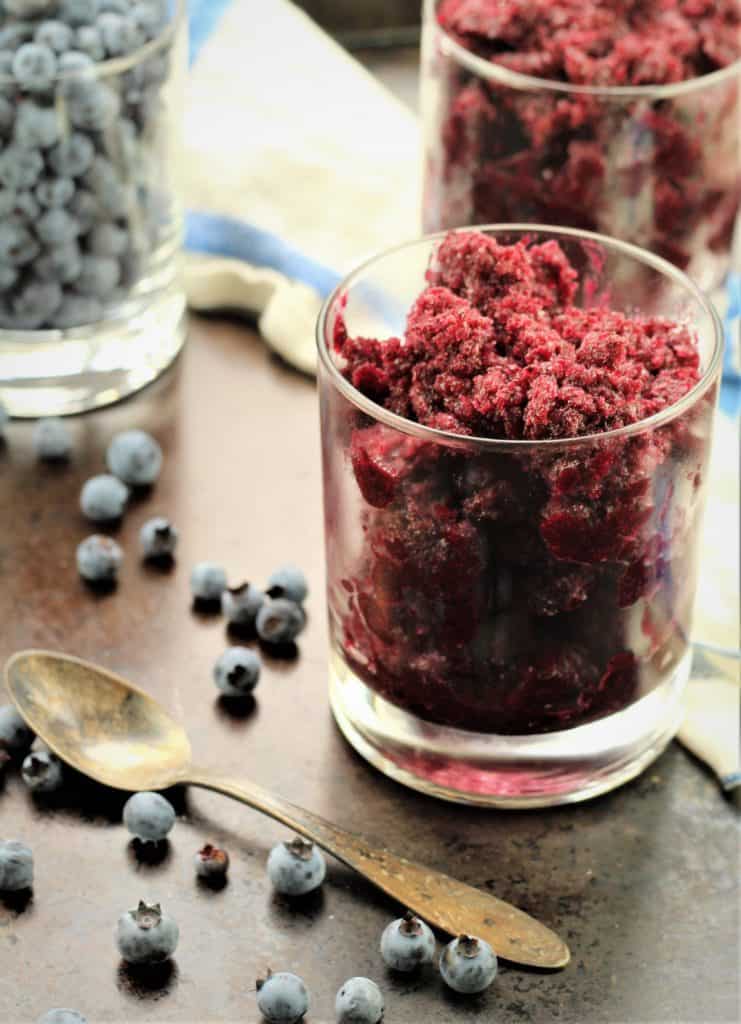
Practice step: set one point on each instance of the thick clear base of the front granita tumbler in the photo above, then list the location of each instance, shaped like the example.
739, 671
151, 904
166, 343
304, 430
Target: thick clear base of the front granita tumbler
524, 772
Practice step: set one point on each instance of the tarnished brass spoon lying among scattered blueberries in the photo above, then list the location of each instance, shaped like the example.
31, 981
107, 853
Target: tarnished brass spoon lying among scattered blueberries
119, 736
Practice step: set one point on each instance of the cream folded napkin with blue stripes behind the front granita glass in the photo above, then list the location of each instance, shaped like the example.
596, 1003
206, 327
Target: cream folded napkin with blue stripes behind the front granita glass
297, 164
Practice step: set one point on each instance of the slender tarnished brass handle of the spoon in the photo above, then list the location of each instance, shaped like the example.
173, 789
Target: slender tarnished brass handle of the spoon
443, 902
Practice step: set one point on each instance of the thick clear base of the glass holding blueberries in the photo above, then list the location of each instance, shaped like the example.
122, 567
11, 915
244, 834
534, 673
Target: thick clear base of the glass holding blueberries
57, 373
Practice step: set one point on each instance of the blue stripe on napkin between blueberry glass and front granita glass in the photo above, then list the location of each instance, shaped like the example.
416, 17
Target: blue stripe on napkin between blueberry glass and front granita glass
209, 233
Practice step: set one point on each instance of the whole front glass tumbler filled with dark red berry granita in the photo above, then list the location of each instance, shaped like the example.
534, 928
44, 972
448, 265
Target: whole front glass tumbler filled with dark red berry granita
516, 425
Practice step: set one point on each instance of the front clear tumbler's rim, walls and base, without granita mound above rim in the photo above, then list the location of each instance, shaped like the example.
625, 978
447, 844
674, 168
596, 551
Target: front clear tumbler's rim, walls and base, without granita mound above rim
510, 620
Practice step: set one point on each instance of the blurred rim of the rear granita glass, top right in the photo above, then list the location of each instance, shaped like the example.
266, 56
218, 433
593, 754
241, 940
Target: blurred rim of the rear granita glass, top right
518, 80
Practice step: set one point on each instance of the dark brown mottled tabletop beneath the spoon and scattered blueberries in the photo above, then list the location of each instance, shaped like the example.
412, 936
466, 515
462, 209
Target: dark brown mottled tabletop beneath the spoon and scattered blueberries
642, 884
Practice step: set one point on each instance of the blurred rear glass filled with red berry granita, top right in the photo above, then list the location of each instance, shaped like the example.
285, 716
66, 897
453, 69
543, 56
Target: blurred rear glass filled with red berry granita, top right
521, 126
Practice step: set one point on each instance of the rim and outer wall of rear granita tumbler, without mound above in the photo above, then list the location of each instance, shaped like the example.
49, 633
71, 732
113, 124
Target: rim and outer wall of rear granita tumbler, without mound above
658, 166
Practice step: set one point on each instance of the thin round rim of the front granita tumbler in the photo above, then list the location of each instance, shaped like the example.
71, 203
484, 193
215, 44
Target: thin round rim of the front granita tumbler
511, 446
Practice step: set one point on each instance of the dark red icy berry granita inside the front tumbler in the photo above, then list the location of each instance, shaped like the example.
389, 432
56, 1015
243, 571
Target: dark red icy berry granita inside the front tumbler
529, 565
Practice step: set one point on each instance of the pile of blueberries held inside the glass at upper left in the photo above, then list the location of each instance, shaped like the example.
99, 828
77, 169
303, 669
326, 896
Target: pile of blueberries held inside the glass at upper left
80, 207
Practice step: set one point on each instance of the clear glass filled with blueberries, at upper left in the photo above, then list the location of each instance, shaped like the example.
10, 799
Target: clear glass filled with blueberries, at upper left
91, 225
